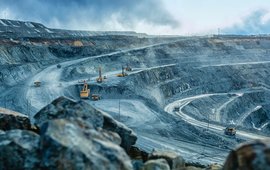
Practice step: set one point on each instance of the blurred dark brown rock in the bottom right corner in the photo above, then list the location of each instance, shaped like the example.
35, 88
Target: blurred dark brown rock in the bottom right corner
252, 156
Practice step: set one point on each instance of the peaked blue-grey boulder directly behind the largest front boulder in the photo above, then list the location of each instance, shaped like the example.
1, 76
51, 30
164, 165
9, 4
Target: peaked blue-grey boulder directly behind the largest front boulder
64, 107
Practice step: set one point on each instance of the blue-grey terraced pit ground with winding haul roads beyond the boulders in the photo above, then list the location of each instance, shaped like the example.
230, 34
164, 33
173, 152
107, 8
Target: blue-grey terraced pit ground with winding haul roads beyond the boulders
214, 81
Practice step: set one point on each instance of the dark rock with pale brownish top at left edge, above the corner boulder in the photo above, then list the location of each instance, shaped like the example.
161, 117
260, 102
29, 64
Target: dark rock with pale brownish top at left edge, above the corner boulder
13, 120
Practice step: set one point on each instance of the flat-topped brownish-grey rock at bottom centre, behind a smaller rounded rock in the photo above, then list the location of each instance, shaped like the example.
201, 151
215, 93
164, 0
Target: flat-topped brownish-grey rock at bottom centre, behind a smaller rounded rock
174, 160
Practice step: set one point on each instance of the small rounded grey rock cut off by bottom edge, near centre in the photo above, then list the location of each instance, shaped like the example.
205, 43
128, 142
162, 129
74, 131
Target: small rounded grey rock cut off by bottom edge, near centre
158, 164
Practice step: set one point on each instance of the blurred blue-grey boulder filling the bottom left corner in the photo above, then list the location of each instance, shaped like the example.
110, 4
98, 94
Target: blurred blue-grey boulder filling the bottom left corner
19, 150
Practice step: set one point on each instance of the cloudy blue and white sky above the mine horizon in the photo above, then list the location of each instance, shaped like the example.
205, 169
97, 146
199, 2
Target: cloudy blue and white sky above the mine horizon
182, 17
